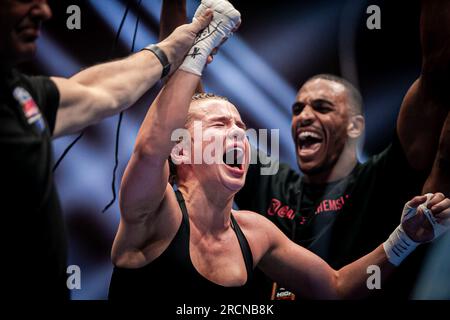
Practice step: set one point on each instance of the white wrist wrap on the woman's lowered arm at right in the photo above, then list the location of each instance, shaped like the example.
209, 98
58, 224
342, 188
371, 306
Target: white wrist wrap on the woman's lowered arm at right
398, 246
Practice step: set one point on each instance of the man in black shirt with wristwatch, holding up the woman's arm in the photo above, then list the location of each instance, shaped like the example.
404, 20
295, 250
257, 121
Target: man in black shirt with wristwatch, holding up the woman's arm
35, 109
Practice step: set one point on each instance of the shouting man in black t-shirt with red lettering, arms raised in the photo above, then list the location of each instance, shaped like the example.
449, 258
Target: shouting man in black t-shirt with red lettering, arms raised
335, 208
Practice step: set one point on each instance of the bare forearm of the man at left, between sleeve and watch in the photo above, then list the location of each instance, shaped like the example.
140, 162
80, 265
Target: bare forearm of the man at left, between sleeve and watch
103, 90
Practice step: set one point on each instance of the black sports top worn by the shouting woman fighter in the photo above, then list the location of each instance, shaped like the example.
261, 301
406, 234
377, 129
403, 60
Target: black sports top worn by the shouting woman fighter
172, 275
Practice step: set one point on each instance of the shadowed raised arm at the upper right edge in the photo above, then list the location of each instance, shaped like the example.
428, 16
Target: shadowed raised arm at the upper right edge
427, 102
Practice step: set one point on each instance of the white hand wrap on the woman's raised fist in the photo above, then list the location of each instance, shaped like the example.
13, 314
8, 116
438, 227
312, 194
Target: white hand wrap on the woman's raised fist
226, 18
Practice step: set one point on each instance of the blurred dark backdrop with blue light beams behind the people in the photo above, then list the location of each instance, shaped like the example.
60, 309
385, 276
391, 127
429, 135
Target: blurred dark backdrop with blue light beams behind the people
280, 44
